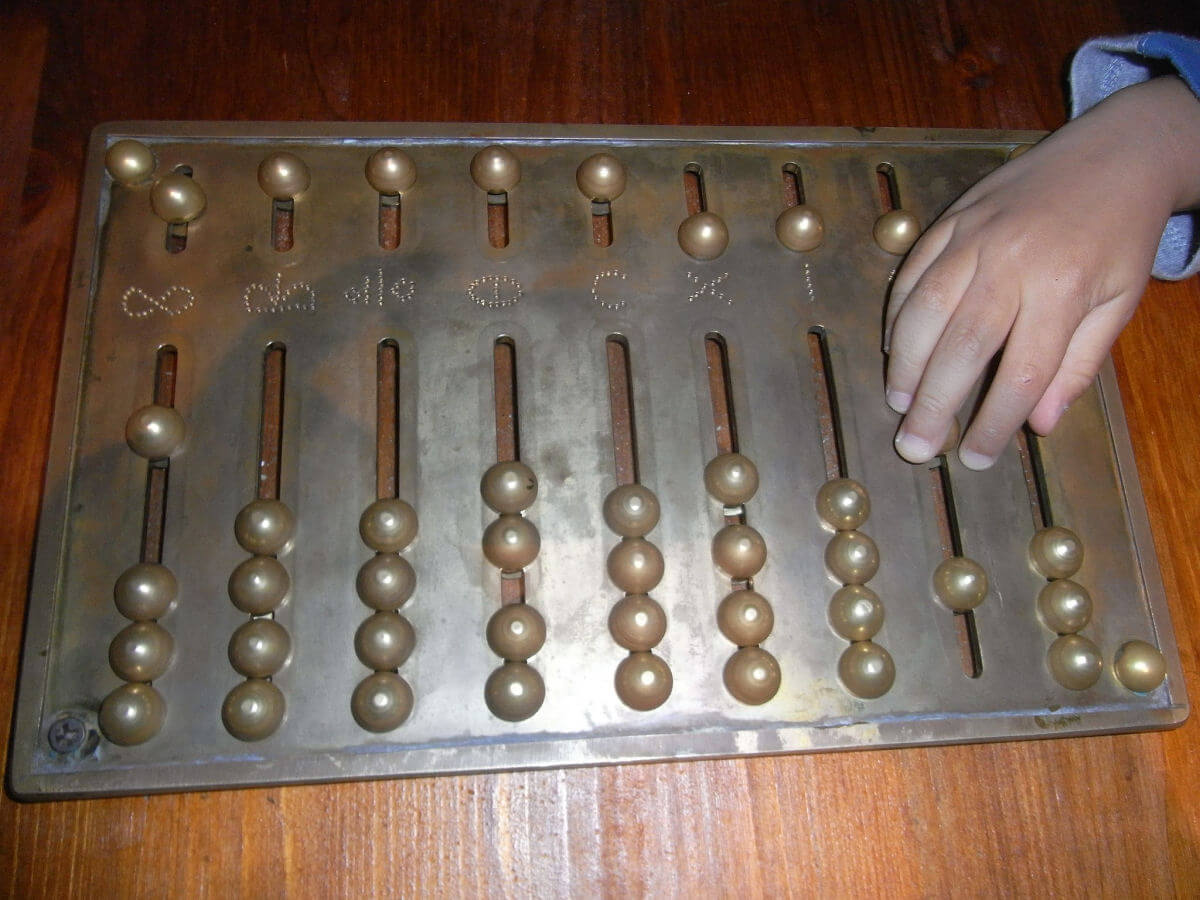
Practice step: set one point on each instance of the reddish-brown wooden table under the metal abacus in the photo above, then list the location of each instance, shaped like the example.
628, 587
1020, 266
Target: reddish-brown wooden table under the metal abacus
1118, 815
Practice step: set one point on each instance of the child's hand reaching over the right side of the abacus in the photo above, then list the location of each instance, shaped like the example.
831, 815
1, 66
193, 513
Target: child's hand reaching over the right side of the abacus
1049, 254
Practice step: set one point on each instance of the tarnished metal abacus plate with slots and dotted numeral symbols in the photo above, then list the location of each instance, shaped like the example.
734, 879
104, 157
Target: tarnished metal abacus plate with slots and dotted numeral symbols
446, 295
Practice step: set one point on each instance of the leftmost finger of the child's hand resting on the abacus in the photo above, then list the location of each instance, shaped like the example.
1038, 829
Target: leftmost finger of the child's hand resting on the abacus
920, 326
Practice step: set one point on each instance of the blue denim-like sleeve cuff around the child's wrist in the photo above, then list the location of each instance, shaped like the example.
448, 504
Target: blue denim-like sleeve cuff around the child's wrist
1106, 65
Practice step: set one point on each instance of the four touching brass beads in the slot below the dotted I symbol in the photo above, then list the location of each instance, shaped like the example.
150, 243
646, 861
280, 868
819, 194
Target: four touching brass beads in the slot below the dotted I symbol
856, 613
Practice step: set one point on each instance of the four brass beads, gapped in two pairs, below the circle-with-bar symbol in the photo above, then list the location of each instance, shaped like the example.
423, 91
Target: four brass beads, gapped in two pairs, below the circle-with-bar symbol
517, 632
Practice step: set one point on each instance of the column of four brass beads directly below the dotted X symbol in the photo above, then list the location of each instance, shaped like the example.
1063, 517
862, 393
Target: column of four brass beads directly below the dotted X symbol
752, 675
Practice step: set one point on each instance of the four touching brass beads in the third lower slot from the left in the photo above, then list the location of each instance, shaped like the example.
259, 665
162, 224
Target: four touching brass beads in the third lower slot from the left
386, 640
